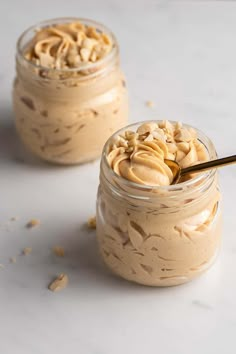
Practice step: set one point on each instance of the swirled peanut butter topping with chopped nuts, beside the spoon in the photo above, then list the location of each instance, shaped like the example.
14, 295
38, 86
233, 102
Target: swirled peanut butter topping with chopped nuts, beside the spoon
140, 156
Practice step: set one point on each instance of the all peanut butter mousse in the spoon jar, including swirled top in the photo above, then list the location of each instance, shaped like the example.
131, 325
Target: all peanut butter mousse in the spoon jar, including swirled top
148, 231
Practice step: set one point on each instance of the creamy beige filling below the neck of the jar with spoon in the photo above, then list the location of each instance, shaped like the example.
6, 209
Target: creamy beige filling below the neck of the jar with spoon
150, 248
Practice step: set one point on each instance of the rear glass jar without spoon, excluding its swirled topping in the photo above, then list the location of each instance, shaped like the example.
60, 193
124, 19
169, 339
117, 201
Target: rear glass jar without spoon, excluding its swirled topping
65, 116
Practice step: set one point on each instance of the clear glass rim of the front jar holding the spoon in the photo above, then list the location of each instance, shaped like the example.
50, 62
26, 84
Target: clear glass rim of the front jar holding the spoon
203, 176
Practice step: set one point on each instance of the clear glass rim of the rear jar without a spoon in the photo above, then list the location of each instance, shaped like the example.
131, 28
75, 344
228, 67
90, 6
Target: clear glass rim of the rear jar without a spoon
86, 66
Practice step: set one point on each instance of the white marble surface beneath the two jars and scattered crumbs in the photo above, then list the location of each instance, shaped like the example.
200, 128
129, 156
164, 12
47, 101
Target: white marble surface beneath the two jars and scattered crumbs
181, 55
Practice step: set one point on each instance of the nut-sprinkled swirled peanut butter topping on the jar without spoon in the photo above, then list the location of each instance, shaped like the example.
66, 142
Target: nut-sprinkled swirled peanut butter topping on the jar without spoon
68, 45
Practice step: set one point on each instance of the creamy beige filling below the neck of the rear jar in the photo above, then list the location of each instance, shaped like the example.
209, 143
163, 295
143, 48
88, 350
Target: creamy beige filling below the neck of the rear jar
70, 125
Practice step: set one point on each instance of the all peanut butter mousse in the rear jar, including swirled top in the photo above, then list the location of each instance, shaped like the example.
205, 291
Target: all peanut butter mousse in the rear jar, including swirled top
70, 93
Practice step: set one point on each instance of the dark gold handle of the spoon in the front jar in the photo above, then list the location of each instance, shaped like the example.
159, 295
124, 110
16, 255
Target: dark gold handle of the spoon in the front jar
209, 165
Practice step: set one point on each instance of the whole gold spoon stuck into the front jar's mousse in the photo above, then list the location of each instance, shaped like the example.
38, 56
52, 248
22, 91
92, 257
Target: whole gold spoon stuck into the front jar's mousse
179, 172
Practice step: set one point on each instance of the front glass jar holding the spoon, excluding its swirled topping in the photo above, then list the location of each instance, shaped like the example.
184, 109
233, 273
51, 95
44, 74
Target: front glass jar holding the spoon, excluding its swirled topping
158, 236
